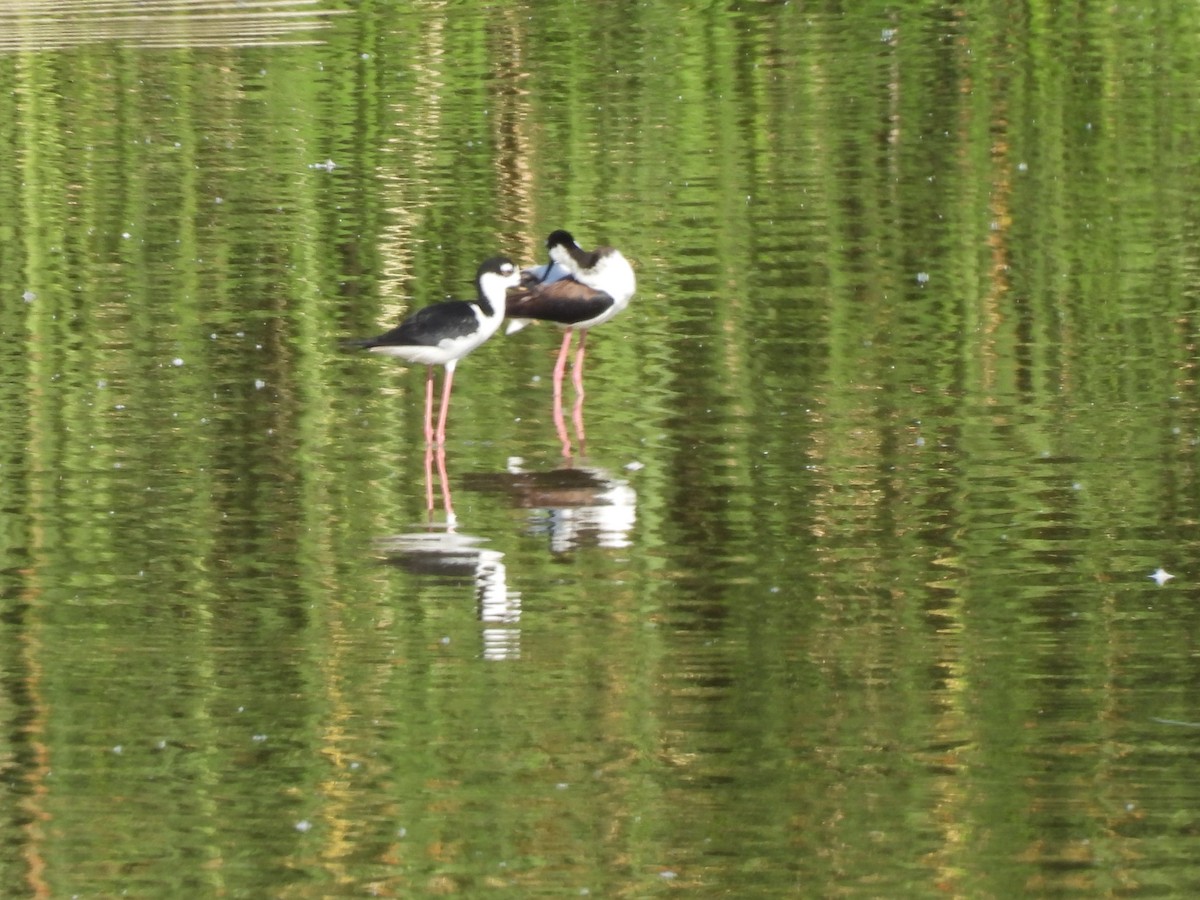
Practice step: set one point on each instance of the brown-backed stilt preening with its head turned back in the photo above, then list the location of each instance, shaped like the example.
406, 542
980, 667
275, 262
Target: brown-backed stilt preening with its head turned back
577, 290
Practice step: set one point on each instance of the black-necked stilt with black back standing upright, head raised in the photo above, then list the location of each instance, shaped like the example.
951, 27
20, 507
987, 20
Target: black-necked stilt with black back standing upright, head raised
442, 334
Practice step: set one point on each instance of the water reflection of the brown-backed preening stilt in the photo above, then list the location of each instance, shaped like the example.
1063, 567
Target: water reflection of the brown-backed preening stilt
574, 507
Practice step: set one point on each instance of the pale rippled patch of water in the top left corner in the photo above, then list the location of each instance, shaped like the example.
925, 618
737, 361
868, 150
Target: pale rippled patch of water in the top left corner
56, 25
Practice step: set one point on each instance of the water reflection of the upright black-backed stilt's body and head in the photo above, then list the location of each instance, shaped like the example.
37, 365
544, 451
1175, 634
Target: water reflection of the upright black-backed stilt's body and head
447, 555
